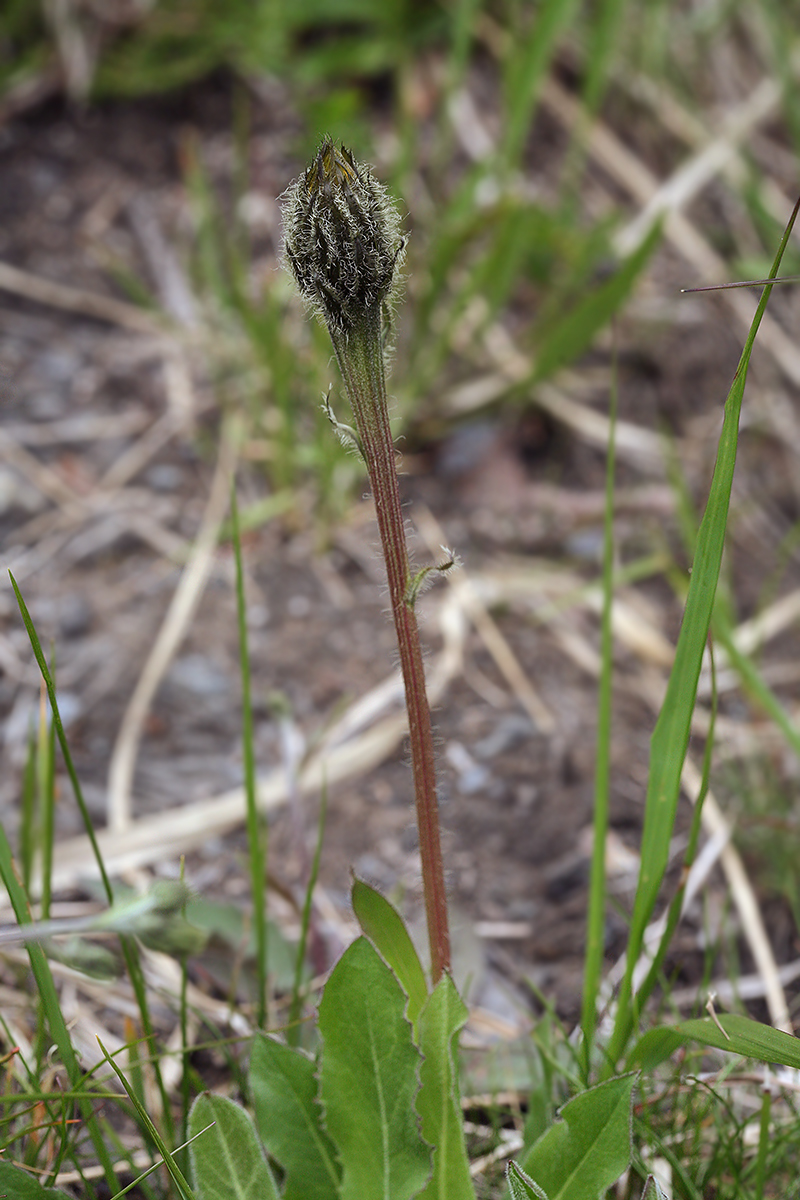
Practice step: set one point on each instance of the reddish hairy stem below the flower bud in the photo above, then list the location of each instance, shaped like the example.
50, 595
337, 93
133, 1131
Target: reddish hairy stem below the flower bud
362, 362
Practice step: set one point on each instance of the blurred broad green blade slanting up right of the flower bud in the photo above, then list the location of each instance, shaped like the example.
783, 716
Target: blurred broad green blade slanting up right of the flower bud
578, 331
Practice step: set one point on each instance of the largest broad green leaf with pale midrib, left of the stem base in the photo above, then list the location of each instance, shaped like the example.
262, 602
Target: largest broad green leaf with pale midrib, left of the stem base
370, 1079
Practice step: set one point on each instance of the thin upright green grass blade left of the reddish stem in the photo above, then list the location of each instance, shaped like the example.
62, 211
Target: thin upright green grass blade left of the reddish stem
257, 829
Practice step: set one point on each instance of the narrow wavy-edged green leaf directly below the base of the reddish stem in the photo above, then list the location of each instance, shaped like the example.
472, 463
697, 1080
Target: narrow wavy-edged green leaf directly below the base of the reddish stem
438, 1102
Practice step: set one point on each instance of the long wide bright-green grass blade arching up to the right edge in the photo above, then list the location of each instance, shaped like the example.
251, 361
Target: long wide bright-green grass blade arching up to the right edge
671, 736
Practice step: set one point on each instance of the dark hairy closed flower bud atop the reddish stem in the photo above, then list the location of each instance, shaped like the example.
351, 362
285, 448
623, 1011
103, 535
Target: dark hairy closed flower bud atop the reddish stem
342, 239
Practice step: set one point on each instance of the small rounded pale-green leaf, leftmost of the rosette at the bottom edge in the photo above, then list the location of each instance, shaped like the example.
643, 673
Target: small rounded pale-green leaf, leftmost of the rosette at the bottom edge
227, 1161
